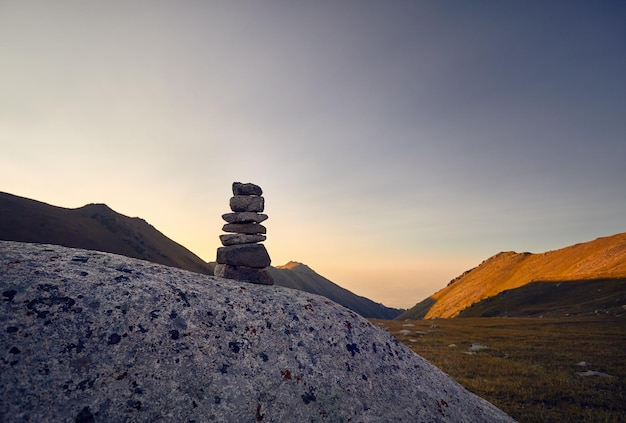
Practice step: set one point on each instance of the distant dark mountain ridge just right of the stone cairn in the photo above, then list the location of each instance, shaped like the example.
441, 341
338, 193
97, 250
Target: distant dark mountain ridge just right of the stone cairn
300, 276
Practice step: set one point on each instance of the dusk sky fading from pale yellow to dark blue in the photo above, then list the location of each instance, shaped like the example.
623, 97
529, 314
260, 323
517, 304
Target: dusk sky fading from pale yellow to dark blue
398, 143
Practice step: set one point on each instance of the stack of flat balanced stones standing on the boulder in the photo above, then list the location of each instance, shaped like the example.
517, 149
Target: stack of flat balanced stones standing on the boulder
242, 257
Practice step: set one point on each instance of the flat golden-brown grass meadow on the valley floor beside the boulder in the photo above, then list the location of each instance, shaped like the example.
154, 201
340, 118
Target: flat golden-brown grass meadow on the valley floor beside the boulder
530, 367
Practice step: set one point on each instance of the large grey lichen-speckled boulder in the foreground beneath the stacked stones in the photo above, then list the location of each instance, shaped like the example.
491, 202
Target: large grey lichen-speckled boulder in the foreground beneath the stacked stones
95, 337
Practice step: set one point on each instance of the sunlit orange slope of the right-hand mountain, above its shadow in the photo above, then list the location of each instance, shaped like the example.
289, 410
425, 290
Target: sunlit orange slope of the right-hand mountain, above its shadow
603, 258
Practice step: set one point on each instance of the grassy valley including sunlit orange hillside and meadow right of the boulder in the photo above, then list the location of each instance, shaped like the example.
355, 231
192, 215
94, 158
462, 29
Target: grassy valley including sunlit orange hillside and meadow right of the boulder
542, 336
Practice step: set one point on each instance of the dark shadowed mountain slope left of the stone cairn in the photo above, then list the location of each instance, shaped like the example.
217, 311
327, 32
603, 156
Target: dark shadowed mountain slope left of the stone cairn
93, 227
